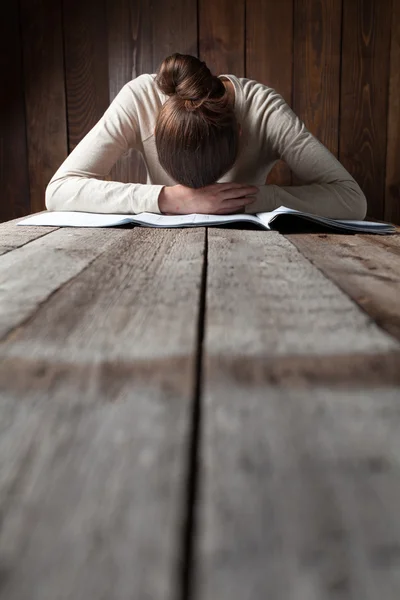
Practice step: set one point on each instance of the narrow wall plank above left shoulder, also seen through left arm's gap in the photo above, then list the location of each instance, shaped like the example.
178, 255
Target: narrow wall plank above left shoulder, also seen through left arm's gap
123, 33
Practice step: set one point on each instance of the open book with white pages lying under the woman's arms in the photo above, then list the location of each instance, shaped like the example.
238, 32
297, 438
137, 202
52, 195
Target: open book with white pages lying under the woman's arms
281, 219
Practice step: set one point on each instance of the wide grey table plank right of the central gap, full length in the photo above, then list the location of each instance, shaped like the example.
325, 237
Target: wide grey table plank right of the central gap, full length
278, 511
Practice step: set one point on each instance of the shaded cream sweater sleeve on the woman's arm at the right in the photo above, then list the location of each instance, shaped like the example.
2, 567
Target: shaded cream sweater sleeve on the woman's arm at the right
328, 190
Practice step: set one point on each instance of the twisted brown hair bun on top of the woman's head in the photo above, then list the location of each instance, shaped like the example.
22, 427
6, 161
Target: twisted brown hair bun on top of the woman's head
189, 78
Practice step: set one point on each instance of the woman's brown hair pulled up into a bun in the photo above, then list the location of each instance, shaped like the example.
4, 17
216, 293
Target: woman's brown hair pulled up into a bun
197, 134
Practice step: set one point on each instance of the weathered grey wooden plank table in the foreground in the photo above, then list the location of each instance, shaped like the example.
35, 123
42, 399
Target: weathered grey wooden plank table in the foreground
209, 414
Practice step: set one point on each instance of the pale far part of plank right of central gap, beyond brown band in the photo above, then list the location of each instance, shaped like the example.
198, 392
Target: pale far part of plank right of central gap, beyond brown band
277, 302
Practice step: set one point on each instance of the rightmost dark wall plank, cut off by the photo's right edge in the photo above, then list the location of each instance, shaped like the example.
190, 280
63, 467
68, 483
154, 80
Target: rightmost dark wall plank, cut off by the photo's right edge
392, 197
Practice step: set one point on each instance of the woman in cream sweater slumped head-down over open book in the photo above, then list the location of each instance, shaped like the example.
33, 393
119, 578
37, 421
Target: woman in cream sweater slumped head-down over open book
198, 134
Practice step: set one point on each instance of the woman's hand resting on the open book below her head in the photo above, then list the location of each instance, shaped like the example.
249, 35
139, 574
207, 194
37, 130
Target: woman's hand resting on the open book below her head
216, 199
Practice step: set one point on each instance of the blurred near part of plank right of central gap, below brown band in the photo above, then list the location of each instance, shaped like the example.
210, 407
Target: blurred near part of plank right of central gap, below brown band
301, 492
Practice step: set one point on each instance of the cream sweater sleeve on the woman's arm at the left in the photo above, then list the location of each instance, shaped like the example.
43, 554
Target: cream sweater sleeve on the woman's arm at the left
78, 184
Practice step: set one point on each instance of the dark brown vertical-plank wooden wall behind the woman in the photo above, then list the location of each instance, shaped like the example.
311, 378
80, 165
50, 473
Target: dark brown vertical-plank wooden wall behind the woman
337, 62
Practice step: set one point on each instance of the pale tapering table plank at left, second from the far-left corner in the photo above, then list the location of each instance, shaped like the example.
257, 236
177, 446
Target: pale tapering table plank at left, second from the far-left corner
30, 274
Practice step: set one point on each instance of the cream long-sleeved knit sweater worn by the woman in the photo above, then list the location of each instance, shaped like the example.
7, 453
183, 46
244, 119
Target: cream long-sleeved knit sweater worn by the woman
270, 131
